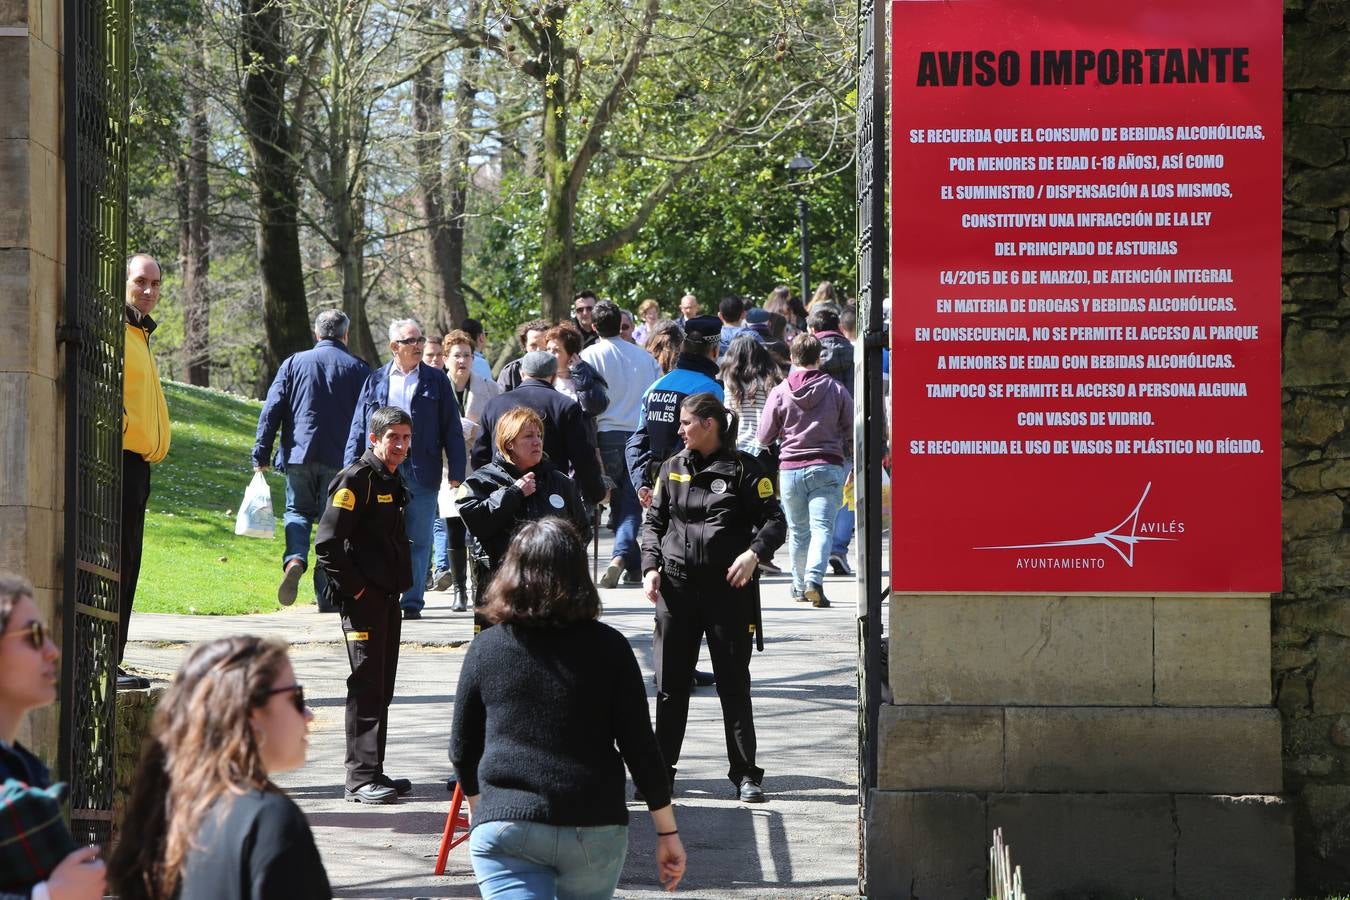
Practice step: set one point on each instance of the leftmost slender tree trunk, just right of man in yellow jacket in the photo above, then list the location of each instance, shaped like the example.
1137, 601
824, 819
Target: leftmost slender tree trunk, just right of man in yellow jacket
196, 230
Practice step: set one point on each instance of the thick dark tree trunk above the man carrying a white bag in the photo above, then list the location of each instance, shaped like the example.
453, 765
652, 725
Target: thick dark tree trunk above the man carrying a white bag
286, 314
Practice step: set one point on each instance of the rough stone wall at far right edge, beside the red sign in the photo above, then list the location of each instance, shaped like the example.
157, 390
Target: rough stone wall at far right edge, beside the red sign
1312, 620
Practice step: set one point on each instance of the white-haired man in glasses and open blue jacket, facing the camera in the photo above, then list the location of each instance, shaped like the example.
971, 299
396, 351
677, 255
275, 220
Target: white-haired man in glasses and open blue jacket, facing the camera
426, 395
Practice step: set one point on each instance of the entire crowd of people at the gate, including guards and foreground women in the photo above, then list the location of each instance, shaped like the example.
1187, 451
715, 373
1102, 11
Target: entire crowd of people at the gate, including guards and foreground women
703, 442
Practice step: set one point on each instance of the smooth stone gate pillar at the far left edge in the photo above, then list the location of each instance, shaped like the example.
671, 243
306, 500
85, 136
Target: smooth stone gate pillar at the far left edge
32, 269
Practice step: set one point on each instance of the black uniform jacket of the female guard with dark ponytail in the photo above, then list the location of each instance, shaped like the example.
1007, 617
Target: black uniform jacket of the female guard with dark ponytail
708, 512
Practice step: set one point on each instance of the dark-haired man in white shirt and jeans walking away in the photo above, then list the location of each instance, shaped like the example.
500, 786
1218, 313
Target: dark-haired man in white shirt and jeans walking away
630, 370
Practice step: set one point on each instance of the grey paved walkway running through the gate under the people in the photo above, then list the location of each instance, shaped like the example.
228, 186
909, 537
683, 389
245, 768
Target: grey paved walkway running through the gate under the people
801, 844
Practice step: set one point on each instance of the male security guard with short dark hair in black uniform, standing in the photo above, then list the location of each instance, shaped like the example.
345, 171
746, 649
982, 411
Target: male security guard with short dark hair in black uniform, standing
364, 550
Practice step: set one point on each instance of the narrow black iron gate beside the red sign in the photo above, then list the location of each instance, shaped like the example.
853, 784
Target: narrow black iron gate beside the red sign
870, 438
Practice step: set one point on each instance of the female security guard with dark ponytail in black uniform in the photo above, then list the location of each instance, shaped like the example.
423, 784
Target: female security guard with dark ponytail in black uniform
713, 519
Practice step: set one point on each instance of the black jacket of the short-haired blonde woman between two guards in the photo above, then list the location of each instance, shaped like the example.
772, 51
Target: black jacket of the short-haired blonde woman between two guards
495, 507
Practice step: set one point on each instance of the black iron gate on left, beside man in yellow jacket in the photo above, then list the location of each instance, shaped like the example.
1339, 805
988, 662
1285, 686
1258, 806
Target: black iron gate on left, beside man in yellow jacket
97, 69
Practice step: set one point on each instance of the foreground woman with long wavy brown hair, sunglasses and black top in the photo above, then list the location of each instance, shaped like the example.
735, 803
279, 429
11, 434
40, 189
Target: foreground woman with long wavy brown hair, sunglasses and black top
213, 825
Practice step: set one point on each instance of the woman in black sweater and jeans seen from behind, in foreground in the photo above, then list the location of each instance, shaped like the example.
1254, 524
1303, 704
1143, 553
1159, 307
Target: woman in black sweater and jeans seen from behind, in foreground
550, 709
